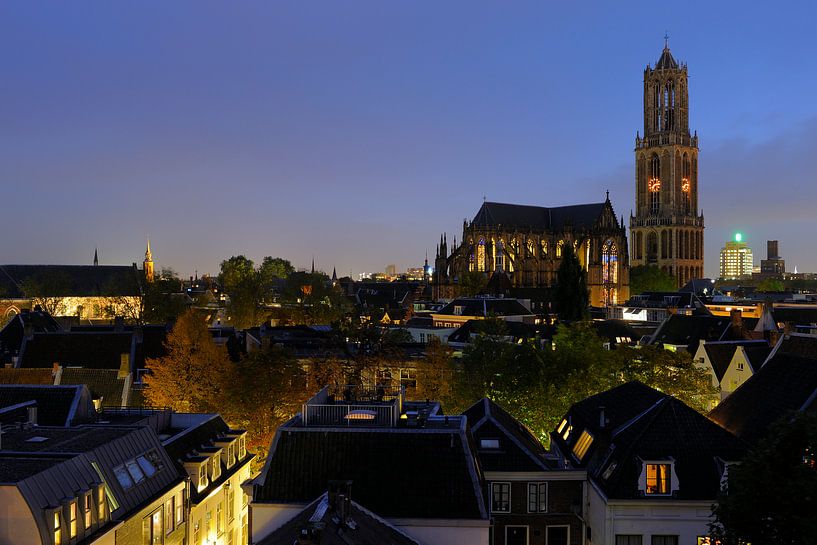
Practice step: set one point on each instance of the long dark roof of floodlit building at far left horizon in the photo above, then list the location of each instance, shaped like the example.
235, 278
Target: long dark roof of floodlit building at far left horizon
74, 280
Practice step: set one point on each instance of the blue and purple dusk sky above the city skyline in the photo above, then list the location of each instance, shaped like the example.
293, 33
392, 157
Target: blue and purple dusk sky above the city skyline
356, 132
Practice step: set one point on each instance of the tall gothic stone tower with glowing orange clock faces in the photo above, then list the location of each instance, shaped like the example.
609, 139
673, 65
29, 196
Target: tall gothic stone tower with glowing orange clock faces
667, 231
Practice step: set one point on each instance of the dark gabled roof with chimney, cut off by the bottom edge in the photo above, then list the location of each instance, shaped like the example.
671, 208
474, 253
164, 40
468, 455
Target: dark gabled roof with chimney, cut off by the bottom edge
369, 529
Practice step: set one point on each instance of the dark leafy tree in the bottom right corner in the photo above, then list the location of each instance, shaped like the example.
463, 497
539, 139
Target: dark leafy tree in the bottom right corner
771, 496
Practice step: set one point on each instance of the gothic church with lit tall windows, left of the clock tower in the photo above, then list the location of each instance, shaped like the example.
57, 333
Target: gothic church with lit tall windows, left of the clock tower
525, 243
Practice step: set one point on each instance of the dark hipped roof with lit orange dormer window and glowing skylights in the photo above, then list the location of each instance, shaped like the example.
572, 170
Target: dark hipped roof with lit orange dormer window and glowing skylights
645, 424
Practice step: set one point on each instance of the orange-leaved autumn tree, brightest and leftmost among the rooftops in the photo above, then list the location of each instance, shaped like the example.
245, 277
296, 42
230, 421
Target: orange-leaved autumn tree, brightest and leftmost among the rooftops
193, 374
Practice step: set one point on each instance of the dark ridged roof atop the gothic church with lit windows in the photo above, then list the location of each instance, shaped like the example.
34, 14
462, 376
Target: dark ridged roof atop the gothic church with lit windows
538, 217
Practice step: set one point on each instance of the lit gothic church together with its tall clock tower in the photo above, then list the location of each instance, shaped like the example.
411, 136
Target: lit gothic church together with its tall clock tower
523, 244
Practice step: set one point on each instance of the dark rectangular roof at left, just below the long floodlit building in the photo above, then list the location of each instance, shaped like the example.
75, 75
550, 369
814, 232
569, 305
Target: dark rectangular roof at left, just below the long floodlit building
77, 349
